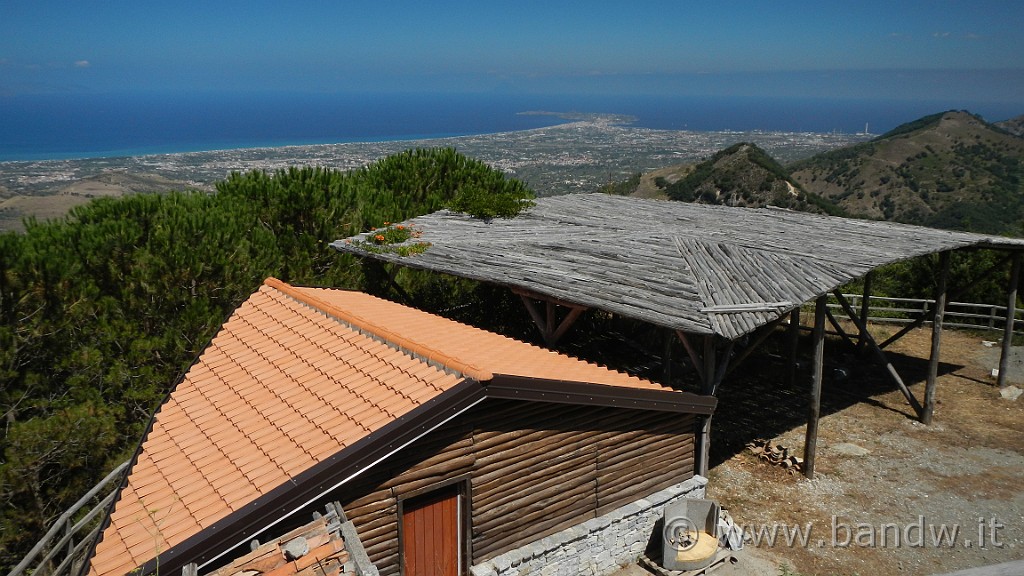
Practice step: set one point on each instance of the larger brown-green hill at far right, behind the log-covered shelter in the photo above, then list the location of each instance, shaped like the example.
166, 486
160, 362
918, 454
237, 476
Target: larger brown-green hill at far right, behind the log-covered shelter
949, 171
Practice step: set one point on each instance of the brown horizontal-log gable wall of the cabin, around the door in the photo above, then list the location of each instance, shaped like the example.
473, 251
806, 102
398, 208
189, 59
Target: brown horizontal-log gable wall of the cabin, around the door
531, 470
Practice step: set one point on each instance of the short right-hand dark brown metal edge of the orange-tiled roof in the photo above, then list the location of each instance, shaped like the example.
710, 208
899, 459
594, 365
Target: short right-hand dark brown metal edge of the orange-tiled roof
564, 392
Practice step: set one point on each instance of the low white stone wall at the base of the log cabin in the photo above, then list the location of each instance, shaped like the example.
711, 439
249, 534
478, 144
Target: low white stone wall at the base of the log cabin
598, 547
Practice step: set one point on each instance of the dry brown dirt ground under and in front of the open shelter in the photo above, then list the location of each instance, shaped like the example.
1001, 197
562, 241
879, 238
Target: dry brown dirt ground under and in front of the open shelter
886, 486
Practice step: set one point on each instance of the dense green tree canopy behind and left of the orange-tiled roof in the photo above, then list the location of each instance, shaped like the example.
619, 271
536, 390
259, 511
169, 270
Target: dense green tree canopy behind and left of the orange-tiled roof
102, 312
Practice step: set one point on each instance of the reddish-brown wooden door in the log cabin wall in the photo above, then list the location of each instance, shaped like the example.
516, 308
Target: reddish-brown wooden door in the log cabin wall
432, 534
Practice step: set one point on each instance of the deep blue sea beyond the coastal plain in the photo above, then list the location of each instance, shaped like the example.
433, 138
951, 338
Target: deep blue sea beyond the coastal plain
62, 127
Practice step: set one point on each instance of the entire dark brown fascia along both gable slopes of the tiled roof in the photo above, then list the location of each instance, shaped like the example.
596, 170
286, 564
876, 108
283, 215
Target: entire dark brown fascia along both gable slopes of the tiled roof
248, 522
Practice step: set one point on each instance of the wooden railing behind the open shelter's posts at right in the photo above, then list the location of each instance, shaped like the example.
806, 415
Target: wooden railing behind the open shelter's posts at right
958, 315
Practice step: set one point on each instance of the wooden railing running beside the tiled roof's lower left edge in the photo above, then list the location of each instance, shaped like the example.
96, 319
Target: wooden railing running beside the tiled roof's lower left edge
59, 545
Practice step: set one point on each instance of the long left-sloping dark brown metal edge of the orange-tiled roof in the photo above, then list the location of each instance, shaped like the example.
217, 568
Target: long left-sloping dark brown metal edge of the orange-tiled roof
269, 510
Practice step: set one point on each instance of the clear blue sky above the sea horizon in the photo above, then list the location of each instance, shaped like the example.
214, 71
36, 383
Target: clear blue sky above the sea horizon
898, 50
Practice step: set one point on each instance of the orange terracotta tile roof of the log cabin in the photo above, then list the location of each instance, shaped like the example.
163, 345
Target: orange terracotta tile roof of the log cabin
295, 378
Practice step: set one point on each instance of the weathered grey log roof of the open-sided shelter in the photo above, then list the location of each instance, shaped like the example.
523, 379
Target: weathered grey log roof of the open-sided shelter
700, 269
